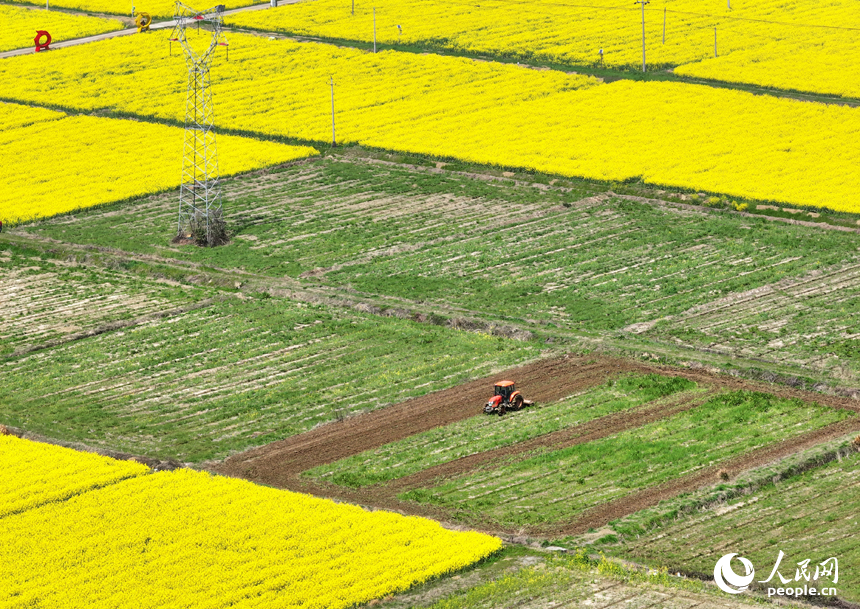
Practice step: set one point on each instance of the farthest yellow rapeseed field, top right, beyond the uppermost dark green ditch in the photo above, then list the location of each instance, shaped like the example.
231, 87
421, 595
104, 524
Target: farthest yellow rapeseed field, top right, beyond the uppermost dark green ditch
763, 42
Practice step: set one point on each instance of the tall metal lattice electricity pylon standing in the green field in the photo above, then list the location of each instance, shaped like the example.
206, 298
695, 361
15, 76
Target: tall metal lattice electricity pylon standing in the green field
200, 213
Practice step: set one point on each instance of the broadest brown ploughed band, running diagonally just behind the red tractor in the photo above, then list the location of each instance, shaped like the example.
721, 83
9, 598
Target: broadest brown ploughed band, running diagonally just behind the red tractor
544, 381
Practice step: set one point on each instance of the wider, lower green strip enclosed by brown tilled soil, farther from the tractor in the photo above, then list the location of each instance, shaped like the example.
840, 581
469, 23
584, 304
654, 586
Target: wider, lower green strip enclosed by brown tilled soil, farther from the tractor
559, 484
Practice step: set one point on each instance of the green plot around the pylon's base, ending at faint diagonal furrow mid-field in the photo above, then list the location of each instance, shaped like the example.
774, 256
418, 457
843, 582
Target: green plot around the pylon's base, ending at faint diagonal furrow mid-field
319, 215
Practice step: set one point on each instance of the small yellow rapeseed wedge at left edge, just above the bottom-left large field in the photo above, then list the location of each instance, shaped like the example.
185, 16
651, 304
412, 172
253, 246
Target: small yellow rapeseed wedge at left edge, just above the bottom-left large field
35, 474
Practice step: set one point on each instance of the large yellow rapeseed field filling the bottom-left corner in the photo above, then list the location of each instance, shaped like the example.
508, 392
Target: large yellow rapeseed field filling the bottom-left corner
188, 539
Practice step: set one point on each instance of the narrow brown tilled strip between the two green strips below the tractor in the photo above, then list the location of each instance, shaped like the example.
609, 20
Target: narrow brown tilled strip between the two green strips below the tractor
595, 429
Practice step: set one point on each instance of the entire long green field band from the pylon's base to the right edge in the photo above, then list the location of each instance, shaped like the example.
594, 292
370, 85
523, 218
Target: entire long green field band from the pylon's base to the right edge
574, 262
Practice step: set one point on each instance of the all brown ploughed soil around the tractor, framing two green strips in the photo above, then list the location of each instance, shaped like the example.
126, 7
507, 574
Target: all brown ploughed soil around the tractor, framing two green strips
281, 463
